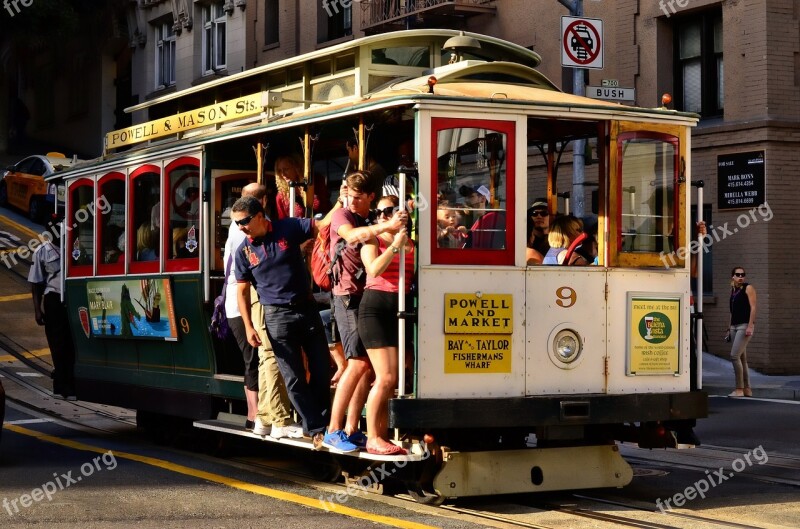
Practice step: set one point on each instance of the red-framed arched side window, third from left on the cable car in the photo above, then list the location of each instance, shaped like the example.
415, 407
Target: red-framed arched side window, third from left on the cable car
145, 234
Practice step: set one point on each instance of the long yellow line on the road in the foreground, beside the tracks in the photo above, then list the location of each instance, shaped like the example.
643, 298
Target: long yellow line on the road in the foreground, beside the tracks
223, 480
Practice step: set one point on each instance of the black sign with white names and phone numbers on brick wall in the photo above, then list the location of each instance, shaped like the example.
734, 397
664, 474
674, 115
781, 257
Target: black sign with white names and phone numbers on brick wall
741, 180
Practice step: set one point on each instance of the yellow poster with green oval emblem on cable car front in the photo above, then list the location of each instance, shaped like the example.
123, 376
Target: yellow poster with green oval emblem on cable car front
654, 334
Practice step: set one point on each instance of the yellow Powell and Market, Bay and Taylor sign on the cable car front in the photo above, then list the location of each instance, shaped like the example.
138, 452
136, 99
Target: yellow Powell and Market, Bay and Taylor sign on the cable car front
477, 336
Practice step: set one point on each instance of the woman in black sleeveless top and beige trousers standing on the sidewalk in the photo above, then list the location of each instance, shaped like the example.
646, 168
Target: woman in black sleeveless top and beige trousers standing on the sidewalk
740, 330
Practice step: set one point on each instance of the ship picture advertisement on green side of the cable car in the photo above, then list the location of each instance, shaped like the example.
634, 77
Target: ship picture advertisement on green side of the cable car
131, 308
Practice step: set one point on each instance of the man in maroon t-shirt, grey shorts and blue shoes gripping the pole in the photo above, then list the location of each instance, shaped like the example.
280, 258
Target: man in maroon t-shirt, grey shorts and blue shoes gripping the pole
353, 225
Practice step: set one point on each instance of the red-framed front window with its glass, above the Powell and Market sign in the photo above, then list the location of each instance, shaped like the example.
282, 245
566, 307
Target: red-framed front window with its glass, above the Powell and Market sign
472, 192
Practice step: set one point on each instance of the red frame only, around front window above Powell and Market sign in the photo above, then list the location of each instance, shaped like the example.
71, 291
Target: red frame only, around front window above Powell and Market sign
474, 256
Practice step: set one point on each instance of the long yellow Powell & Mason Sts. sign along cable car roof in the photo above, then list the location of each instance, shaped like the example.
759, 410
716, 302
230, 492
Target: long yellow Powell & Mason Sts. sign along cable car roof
201, 117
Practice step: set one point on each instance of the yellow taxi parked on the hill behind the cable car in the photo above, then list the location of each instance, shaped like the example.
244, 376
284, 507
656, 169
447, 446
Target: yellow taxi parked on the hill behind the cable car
23, 185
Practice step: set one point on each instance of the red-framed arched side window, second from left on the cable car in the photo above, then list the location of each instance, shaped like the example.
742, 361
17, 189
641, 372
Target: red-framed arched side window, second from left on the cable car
111, 224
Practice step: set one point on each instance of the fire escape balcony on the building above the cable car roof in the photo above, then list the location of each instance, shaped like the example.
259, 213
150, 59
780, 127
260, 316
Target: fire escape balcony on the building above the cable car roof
379, 16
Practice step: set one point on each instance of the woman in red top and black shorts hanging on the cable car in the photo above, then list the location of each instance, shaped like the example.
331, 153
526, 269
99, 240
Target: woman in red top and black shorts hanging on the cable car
377, 319
